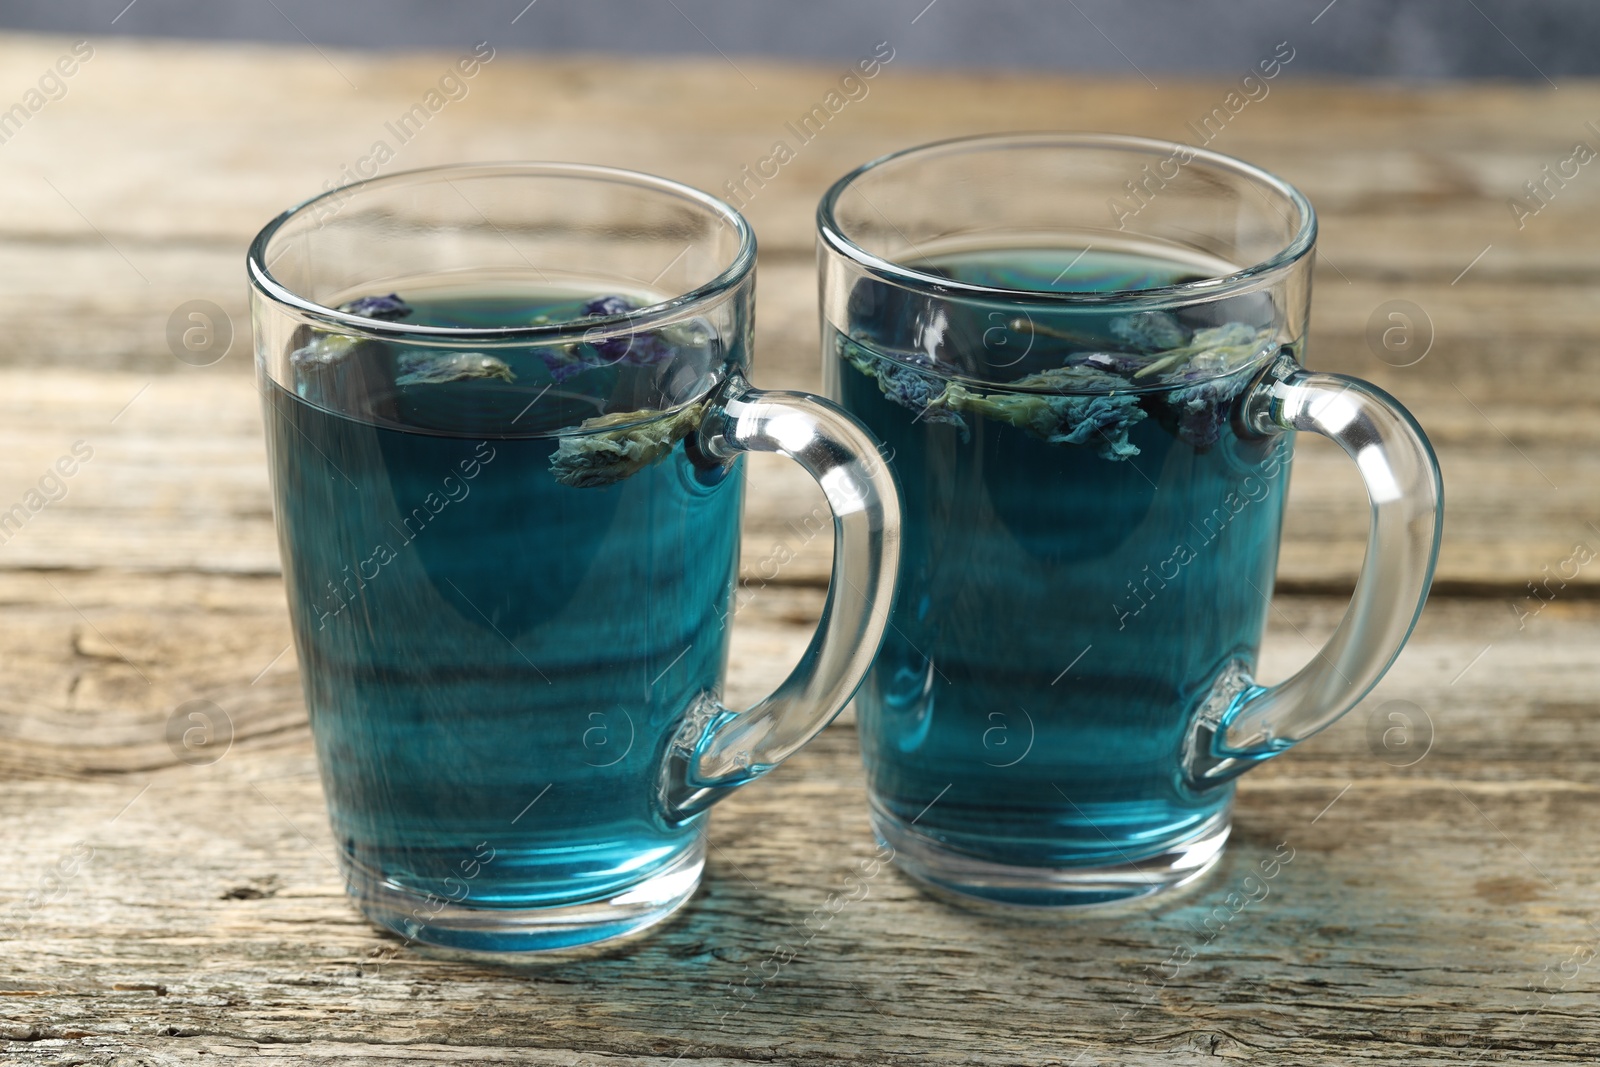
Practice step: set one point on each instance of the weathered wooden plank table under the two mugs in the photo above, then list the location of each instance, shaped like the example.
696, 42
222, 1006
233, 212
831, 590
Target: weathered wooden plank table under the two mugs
1441, 906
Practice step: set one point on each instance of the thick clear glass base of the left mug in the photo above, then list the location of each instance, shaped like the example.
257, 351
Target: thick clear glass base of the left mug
497, 930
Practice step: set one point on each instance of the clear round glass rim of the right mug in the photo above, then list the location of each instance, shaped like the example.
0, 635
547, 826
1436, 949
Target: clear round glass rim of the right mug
1305, 239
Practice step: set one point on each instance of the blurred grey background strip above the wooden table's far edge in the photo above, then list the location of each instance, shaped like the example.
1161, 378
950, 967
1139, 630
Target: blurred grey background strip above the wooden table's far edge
1398, 39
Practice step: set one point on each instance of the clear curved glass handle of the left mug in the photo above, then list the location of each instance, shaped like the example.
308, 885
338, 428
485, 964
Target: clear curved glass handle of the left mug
718, 749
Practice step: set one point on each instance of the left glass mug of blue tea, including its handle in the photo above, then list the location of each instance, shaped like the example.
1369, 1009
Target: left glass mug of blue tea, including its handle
505, 415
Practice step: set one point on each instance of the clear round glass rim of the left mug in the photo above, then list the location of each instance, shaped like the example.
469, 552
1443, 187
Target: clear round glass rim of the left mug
662, 313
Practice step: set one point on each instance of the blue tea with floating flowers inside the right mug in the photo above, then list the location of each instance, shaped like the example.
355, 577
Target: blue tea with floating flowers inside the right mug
1087, 549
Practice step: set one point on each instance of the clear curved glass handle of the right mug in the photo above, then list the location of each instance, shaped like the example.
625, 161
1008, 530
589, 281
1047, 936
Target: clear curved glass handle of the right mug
1242, 724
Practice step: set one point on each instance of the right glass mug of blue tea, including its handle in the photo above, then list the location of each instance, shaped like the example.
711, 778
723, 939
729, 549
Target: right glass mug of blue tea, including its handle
1082, 354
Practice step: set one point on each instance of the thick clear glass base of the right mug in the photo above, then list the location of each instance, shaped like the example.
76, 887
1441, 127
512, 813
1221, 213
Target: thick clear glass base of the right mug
969, 881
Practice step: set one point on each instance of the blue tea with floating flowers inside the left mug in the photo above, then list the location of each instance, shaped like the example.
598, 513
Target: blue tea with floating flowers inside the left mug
500, 620
